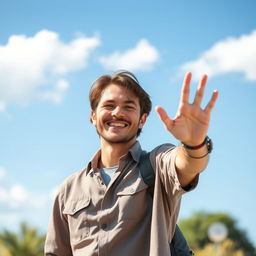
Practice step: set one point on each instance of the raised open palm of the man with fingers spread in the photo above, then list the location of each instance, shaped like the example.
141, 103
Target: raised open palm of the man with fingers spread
191, 123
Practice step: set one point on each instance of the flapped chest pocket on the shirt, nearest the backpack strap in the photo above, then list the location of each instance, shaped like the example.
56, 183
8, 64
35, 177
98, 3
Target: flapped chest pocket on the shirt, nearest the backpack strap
133, 201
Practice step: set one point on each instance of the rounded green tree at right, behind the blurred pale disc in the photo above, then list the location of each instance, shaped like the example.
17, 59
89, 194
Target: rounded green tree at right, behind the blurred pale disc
196, 227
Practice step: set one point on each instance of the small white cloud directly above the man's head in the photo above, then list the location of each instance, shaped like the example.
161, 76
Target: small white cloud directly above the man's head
142, 57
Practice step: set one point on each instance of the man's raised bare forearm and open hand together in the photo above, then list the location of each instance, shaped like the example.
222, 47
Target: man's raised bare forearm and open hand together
190, 126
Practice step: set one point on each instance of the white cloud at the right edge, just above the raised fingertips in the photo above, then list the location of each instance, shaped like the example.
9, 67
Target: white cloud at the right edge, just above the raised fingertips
229, 55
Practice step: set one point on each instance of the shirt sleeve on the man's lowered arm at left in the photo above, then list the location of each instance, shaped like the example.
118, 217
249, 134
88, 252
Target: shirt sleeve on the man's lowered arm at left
57, 238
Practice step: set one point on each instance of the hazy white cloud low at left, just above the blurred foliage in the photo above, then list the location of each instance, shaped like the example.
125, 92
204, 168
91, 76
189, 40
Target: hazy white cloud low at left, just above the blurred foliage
17, 204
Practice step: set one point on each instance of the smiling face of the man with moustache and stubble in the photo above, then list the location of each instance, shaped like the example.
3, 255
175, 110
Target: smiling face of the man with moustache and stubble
117, 116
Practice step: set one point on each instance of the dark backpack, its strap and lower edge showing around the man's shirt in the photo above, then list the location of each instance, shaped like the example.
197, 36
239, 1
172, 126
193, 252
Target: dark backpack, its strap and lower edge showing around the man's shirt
178, 245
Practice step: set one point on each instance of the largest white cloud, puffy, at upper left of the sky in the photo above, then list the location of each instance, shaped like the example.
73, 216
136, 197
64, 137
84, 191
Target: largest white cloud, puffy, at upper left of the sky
30, 66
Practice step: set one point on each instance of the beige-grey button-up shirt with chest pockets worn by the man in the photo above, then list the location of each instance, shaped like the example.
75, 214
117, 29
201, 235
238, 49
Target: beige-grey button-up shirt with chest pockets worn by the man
121, 219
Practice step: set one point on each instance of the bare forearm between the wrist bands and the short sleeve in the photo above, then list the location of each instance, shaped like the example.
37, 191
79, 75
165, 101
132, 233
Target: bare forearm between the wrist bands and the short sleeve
190, 162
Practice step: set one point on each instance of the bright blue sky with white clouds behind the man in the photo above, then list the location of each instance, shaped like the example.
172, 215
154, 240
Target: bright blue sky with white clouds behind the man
52, 51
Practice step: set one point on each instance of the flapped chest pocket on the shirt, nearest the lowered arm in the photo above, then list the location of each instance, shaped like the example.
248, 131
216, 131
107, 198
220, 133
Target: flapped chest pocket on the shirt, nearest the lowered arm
76, 211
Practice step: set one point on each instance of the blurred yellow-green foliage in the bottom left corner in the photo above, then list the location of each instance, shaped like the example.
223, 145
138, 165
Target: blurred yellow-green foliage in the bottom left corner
27, 242
